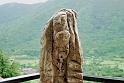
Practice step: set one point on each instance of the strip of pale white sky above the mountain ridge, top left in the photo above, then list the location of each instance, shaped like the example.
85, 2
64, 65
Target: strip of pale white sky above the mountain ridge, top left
21, 1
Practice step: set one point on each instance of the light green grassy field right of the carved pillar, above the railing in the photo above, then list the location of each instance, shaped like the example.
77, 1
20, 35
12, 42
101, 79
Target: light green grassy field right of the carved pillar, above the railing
112, 66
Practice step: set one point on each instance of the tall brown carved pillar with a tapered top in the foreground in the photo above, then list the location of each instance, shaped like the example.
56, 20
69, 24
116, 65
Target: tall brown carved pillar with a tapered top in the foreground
60, 60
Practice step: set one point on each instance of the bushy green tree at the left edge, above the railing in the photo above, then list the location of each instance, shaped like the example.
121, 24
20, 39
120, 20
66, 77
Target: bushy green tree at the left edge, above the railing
7, 68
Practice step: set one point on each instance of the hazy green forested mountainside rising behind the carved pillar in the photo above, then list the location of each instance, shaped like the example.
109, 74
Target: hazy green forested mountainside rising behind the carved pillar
100, 25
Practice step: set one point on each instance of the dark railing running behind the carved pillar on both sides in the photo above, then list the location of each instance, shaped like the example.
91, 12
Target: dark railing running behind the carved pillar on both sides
29, 77
